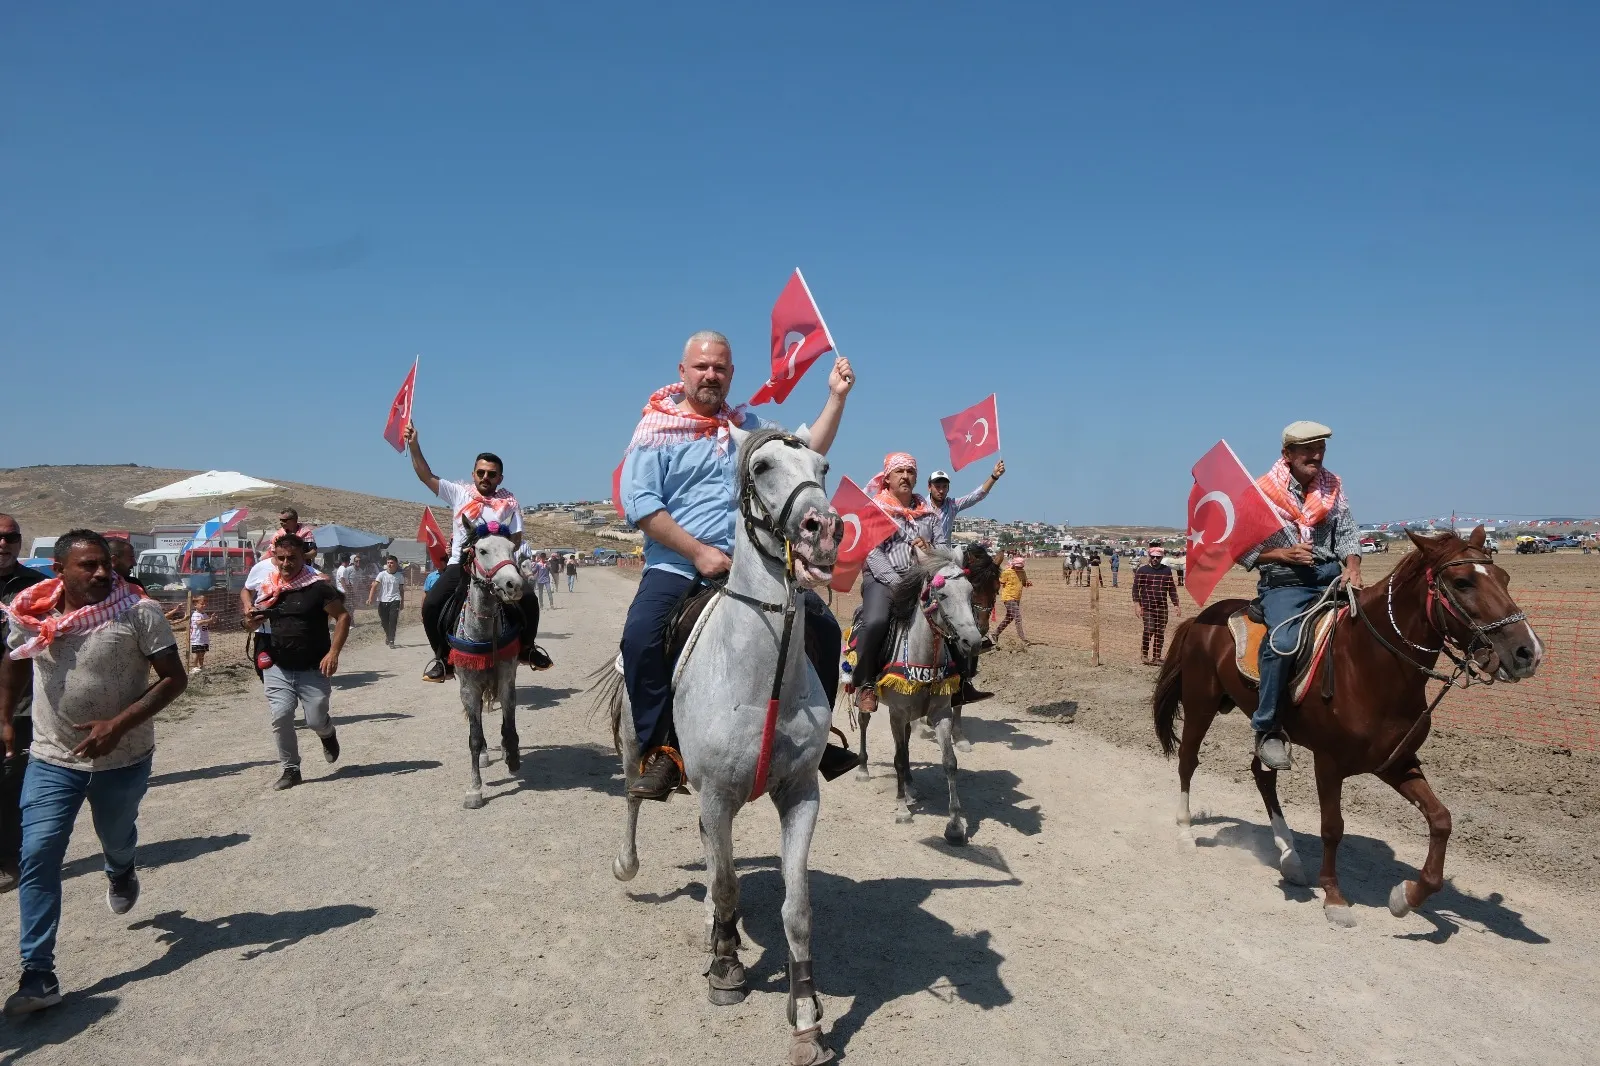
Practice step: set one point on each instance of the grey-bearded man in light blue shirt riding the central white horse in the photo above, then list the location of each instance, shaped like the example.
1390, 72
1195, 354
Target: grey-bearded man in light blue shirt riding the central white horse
679, 487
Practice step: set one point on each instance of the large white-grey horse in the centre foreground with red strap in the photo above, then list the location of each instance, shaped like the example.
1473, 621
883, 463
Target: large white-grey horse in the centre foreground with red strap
753, 633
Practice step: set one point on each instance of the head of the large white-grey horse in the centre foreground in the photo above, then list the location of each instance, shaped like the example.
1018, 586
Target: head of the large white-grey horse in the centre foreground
783, 505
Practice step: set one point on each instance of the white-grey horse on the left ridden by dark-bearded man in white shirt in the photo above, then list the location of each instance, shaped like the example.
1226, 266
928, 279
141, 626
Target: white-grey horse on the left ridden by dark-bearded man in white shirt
486, 663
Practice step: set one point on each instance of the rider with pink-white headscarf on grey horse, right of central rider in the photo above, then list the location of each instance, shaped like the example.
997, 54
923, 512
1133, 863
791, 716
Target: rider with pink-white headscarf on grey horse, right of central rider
887, 564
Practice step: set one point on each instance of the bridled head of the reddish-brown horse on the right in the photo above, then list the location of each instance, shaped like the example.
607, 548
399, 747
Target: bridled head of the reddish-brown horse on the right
1471, 604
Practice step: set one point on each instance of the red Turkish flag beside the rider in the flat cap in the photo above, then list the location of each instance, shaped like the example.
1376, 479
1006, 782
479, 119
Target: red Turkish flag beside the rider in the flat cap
1228, 516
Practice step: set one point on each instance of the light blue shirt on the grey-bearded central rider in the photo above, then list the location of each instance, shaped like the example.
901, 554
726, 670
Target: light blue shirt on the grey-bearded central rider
695, 486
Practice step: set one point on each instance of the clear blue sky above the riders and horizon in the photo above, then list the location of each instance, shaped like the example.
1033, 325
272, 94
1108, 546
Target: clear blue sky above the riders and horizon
226, 230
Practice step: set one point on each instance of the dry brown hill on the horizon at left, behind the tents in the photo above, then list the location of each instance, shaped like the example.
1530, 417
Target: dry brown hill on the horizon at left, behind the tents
50, 500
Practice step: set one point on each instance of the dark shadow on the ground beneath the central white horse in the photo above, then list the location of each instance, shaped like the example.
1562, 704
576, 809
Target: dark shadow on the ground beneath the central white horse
895, 947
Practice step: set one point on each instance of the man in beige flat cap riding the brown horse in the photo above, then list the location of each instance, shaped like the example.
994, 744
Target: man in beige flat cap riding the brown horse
1318, 547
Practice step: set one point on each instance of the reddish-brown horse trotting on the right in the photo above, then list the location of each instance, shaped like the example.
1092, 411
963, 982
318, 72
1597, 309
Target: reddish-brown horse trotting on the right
1447, 598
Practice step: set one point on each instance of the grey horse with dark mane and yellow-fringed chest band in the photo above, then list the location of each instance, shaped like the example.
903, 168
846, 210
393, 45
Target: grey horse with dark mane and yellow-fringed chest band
934, 612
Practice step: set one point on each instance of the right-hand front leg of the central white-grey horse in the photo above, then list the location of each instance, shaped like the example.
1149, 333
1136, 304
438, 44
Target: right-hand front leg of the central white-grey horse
798, 809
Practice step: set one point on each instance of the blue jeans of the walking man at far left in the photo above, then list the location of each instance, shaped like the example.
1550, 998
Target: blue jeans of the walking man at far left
52, 798
